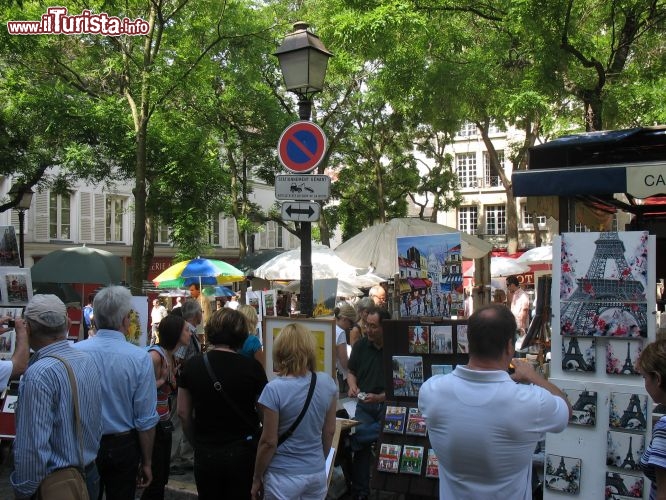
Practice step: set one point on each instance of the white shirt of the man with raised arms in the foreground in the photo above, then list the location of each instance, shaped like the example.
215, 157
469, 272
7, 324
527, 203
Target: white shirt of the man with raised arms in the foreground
484, 428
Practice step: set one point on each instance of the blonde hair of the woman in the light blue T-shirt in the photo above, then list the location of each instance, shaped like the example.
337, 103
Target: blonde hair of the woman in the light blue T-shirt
295, 350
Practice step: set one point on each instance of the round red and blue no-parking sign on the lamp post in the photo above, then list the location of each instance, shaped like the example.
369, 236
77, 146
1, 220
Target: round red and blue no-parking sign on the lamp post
301, 147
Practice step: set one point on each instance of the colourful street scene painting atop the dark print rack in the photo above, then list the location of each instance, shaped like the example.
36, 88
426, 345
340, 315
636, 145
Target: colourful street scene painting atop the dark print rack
431, 273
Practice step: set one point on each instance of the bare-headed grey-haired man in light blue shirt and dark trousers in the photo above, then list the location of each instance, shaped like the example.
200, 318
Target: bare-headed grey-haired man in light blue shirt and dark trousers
129, 398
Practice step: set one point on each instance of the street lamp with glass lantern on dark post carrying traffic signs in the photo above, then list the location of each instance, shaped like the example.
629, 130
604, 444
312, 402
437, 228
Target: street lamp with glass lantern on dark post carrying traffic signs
303, 60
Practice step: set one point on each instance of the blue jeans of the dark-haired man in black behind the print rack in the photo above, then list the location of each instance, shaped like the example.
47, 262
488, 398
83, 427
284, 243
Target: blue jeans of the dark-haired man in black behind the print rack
370, 415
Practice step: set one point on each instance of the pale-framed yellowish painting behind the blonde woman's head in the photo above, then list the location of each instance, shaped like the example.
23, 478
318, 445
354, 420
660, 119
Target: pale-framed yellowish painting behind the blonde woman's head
323, 331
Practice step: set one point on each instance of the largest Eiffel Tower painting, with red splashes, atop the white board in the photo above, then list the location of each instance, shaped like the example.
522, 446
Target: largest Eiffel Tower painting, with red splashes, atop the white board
608, 299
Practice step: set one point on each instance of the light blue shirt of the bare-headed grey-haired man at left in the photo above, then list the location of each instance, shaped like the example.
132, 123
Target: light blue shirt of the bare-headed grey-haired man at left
128, 382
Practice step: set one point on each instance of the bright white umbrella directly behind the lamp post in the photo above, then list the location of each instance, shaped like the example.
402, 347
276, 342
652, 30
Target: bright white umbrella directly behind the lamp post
287, 265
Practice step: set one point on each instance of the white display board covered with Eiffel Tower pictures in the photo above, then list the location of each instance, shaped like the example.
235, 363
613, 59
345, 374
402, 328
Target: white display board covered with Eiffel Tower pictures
603, 304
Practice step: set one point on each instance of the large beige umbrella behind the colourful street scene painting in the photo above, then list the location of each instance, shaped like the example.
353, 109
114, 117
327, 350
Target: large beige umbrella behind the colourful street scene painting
375, 247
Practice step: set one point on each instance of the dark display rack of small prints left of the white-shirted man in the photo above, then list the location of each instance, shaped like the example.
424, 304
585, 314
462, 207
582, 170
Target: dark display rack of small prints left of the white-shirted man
440, 345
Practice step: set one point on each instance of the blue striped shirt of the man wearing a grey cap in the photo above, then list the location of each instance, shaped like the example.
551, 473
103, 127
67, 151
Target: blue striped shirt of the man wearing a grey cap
45, 424
